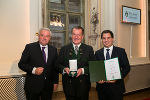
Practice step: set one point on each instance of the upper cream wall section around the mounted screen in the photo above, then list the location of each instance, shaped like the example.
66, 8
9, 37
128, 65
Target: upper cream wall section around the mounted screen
134, 38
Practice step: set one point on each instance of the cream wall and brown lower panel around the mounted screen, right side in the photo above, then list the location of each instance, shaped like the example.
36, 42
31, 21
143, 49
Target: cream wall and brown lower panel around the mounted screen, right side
134, 38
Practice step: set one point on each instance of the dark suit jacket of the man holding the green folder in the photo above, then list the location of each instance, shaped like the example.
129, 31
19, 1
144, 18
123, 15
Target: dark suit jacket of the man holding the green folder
123, 63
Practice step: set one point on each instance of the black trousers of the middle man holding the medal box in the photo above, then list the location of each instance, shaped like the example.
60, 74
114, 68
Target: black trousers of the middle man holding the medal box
76, 88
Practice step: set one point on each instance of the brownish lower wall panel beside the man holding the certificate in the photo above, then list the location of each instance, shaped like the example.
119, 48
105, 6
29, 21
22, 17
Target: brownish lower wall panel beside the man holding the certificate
138, 78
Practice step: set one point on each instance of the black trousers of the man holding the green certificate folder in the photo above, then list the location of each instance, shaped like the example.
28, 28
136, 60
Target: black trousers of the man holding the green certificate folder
109, 92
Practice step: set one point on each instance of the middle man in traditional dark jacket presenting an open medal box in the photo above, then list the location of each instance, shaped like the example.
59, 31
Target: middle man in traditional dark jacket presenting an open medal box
76, 87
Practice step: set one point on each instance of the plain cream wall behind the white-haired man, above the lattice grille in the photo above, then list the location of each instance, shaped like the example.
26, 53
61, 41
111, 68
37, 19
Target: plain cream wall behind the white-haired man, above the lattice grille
19, 21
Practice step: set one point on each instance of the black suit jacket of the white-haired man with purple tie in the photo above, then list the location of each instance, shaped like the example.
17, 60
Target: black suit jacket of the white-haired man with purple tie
32, 57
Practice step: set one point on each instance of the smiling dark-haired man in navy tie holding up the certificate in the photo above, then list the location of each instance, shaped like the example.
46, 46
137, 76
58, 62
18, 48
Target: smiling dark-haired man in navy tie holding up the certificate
113, 88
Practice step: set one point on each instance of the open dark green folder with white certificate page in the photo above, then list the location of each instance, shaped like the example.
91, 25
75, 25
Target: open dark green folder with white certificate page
104, 70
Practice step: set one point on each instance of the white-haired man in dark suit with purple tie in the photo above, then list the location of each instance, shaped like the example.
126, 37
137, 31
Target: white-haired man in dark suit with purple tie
38, 61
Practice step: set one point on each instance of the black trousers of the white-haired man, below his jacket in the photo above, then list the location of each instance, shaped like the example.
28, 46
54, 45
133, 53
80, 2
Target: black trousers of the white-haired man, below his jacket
44, 95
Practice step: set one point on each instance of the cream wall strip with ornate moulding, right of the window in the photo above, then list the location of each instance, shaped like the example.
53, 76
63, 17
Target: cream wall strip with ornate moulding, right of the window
94, 23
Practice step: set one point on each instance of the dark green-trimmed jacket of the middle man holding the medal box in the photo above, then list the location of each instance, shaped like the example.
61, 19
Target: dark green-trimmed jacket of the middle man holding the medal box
67, 53
